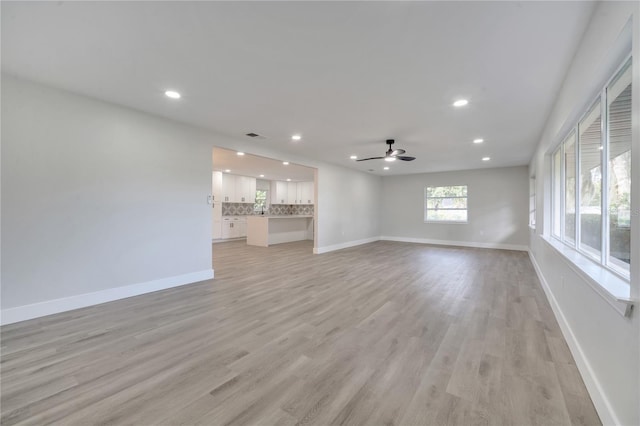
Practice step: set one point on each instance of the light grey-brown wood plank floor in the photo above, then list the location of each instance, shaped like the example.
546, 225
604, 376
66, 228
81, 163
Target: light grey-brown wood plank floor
384, 333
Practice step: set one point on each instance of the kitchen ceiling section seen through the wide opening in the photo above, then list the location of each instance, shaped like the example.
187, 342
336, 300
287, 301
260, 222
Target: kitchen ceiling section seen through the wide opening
253, 165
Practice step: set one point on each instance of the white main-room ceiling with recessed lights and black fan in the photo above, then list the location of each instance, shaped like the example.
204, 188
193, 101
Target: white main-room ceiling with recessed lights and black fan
345, 75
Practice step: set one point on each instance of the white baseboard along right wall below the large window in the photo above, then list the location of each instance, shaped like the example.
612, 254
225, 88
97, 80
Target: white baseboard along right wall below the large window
599, 398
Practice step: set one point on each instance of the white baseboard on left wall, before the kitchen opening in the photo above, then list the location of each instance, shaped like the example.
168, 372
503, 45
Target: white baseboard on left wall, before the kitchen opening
49, 307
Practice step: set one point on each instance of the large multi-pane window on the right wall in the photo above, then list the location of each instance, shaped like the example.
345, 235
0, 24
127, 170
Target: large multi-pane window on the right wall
591, 179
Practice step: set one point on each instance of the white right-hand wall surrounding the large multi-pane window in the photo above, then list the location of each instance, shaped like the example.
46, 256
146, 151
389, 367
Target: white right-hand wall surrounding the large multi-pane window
605, 344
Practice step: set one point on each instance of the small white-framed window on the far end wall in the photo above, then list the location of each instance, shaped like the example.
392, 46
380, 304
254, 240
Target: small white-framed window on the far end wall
446, 204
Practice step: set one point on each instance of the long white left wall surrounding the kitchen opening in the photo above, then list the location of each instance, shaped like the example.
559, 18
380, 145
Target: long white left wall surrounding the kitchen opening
101, 202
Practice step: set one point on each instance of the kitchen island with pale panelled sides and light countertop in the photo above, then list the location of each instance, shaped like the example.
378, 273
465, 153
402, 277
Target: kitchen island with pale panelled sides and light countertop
265, 230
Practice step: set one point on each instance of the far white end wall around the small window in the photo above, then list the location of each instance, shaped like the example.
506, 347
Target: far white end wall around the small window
497, 208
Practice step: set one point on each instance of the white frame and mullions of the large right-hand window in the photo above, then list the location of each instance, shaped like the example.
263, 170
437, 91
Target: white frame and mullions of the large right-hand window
603, 259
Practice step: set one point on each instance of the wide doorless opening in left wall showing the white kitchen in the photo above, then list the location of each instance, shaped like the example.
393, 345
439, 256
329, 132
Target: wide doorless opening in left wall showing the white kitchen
251, 192
